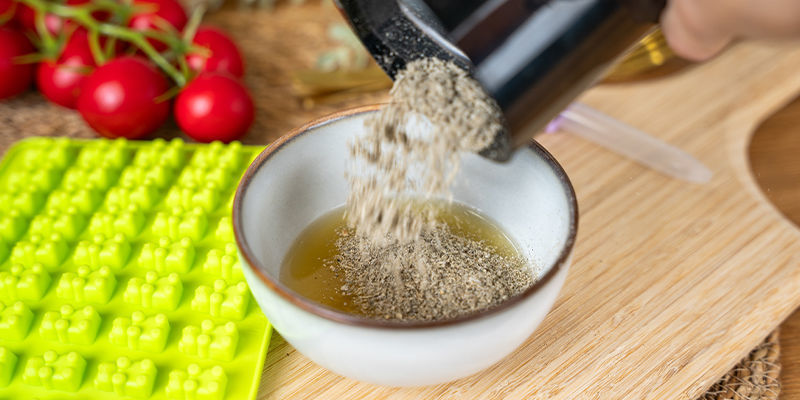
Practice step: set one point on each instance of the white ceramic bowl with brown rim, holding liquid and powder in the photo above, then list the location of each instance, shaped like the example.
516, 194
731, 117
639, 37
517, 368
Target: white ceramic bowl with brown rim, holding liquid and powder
301, 176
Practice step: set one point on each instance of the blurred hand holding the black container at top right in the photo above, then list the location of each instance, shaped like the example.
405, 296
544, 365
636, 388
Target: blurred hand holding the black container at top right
699, 29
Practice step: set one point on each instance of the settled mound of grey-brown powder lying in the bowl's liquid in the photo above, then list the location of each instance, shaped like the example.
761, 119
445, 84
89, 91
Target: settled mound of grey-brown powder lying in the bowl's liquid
440, 275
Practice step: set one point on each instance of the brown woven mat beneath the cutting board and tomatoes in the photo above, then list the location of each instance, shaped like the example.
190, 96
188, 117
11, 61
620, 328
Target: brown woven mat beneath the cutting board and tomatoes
274, 45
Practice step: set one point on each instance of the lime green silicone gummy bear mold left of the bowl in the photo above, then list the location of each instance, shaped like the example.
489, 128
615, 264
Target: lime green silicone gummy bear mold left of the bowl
119, 275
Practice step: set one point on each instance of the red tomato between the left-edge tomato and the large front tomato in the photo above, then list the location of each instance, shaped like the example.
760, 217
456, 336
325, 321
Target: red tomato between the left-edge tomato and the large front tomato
60, 81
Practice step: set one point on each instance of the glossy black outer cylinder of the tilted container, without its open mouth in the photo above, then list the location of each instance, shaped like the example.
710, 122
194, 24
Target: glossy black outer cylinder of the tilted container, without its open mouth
535, 57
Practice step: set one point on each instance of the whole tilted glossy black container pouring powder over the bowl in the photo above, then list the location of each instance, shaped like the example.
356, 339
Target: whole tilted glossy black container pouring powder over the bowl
533, 56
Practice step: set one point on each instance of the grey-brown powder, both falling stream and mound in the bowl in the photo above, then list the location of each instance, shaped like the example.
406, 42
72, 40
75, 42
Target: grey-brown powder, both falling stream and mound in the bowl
397, 260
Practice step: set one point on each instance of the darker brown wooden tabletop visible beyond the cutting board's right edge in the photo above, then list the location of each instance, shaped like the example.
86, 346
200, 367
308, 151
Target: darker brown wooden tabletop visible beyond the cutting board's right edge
775, 159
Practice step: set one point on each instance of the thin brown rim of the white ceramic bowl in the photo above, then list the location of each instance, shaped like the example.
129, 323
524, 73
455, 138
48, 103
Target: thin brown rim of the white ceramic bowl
334, 315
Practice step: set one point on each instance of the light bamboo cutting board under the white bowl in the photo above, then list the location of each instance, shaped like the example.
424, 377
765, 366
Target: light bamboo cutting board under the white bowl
672, 283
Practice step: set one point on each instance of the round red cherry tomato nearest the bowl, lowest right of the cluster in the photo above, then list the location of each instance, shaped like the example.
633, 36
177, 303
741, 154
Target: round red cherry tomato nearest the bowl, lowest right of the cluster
214, 107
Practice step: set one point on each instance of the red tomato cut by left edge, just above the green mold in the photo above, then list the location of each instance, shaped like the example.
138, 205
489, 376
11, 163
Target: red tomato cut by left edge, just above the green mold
15, 77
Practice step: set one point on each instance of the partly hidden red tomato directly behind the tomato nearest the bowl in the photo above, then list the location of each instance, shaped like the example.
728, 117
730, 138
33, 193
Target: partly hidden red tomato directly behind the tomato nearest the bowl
223, 55
